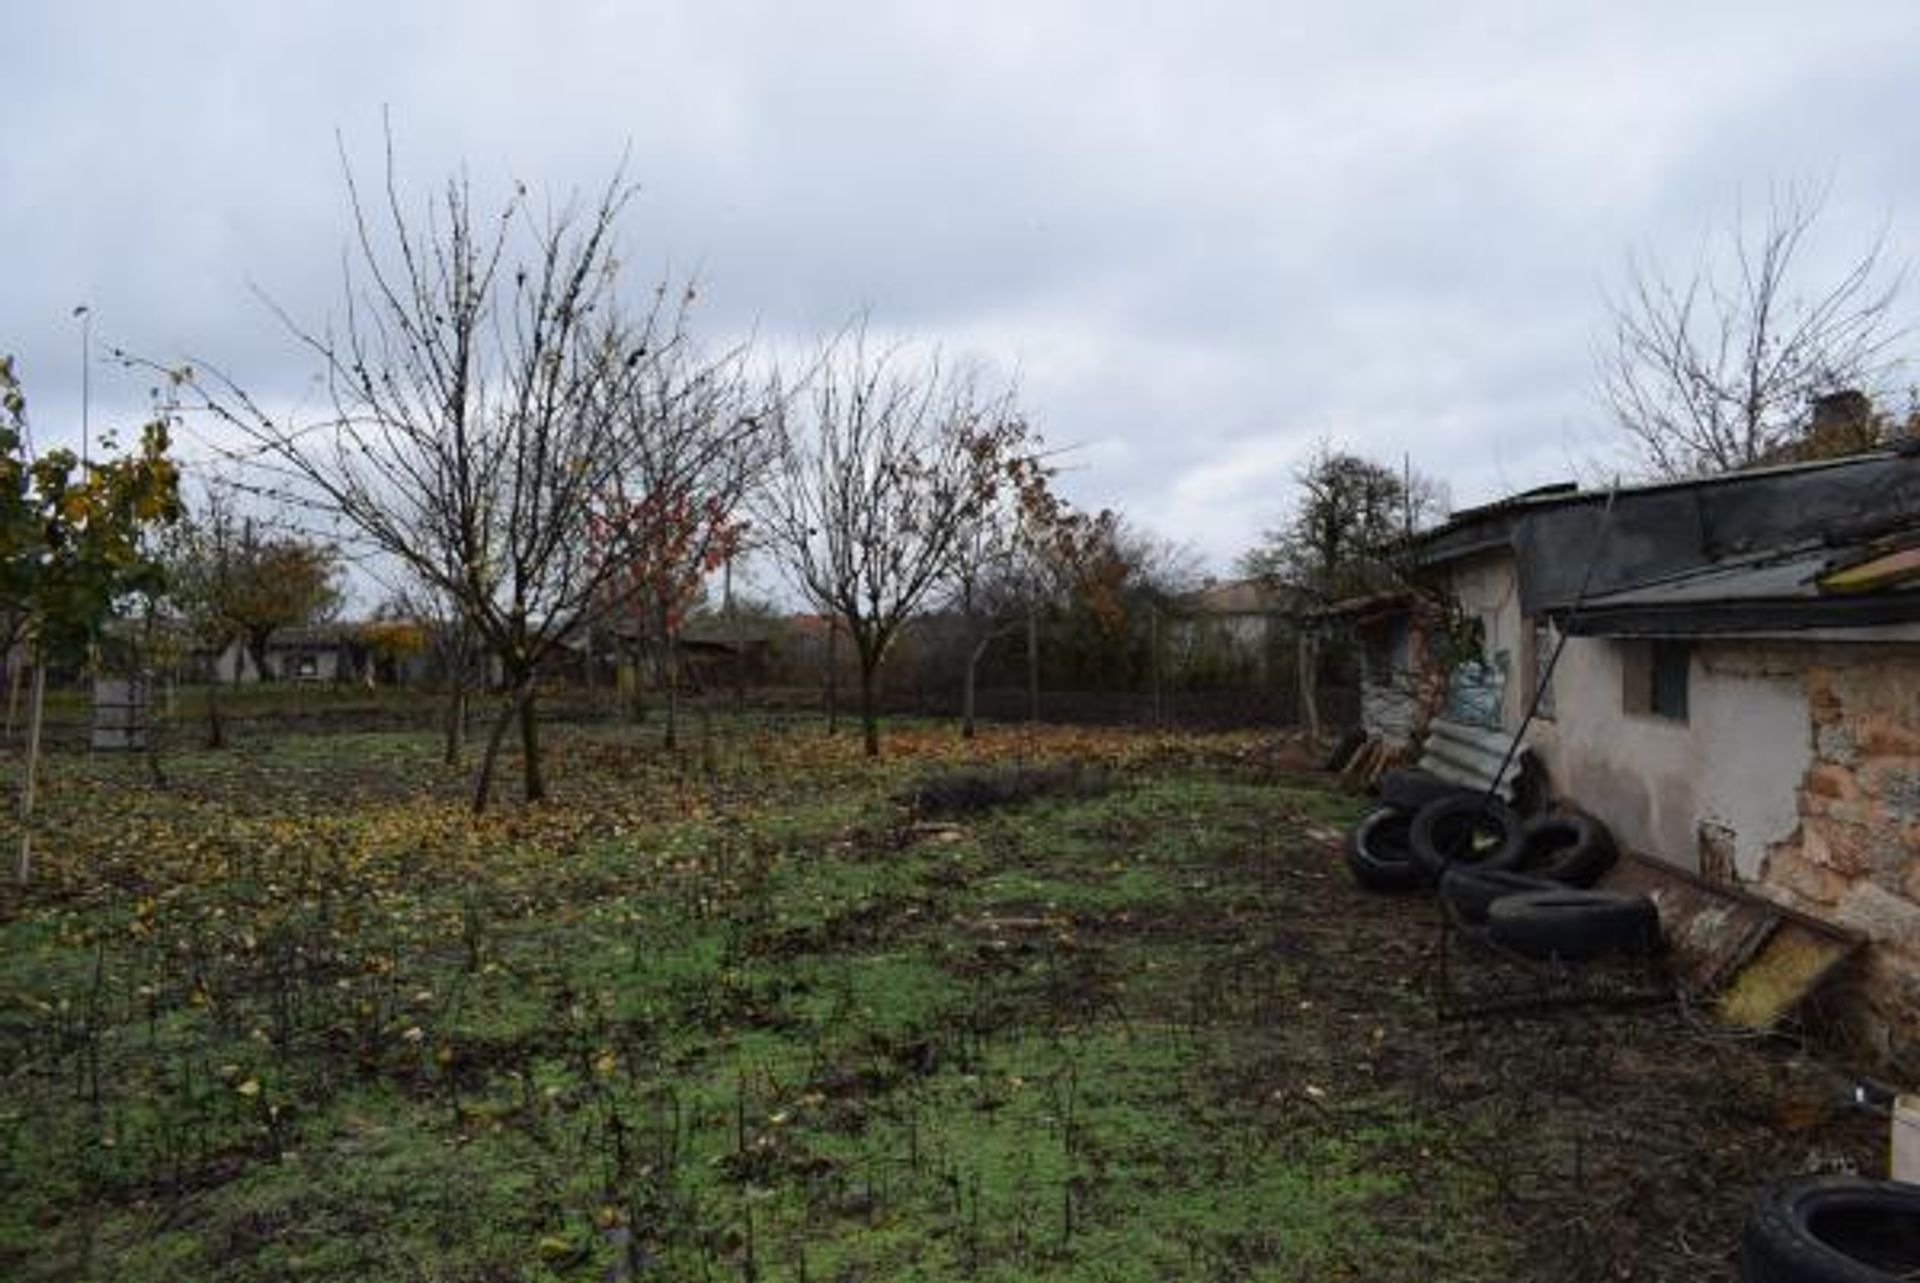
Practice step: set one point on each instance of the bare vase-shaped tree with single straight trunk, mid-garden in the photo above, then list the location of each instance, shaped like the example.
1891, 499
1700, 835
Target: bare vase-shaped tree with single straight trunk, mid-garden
886, 468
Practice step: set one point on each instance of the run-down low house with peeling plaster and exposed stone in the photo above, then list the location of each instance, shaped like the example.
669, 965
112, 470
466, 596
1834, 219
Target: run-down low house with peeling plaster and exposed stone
1739, 694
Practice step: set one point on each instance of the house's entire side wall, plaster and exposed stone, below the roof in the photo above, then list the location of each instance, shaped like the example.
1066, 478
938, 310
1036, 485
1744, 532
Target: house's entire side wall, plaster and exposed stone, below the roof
1796, 771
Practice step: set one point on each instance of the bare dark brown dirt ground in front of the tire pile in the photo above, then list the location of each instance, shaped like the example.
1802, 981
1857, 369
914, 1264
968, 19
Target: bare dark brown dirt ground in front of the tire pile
1633, 1134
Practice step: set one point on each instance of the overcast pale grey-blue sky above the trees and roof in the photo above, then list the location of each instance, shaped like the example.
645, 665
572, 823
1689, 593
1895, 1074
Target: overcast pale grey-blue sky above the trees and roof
1205, 235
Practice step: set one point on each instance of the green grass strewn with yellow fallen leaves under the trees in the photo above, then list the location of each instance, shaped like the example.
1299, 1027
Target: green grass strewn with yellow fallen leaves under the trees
771, 1038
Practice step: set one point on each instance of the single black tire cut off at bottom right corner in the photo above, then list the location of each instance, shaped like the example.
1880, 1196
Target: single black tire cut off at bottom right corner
1833, 1230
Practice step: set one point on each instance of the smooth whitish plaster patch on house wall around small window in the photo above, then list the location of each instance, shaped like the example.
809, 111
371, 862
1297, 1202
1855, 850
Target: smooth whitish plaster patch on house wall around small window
1737, 762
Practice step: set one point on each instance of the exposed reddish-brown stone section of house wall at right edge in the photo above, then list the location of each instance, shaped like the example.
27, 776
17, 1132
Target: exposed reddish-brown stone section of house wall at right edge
1856, 858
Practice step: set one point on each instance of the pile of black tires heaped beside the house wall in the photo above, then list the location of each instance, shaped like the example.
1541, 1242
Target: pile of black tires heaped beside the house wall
1527, 886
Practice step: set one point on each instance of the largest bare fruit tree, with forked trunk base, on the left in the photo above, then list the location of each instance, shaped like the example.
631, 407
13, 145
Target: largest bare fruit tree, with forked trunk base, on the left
471, 427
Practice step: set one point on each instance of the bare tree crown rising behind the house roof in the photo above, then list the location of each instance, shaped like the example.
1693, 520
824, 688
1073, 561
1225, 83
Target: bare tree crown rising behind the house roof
1717, 370
